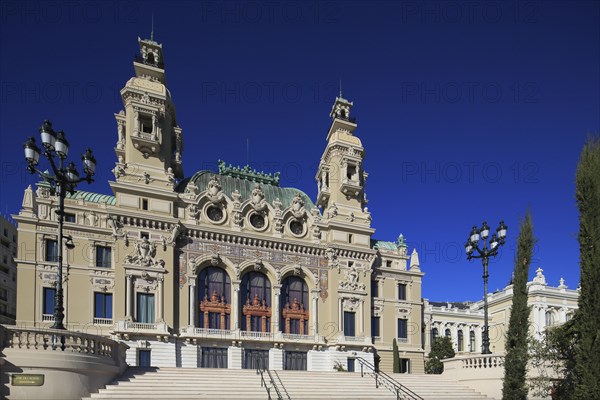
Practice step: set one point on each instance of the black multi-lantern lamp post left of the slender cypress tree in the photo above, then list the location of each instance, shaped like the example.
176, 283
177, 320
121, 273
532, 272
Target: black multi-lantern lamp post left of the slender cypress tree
485, 253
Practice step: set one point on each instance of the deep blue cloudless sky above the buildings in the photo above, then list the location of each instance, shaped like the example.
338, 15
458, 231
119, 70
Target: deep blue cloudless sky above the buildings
468, 111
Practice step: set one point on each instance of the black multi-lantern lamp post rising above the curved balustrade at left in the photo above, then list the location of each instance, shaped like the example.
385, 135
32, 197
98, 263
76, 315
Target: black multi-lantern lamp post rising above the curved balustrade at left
61, 179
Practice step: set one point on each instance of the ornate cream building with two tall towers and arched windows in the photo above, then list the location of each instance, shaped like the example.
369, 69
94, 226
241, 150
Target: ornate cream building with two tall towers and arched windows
222, 268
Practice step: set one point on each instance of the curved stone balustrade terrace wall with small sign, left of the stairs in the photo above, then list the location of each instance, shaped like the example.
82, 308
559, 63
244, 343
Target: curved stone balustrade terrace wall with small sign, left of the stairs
69, 365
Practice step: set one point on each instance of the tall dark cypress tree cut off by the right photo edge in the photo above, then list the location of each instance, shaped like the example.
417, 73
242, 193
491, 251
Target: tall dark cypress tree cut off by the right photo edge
586, 373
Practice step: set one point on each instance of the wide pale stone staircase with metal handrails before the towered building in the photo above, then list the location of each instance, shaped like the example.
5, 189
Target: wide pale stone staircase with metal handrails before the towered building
206, 383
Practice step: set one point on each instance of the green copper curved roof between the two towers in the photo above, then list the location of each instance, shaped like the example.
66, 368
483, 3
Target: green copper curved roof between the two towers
245, 187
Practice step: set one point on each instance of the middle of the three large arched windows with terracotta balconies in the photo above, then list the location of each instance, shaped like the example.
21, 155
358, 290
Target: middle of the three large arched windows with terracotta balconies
256, 302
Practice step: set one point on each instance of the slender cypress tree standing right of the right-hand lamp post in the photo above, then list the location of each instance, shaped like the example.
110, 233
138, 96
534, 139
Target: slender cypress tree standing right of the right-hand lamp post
514, 386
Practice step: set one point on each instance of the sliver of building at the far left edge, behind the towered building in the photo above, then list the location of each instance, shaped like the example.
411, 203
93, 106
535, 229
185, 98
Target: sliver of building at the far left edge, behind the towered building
8, 271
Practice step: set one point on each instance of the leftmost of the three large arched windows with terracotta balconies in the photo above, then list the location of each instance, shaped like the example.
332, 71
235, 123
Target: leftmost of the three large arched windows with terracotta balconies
214, 294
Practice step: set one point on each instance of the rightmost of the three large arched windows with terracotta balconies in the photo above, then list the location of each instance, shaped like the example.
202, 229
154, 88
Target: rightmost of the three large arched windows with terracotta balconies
294, 306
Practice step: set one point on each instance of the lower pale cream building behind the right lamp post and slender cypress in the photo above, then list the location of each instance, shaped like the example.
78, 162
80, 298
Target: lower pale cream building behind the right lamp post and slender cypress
549, 306
